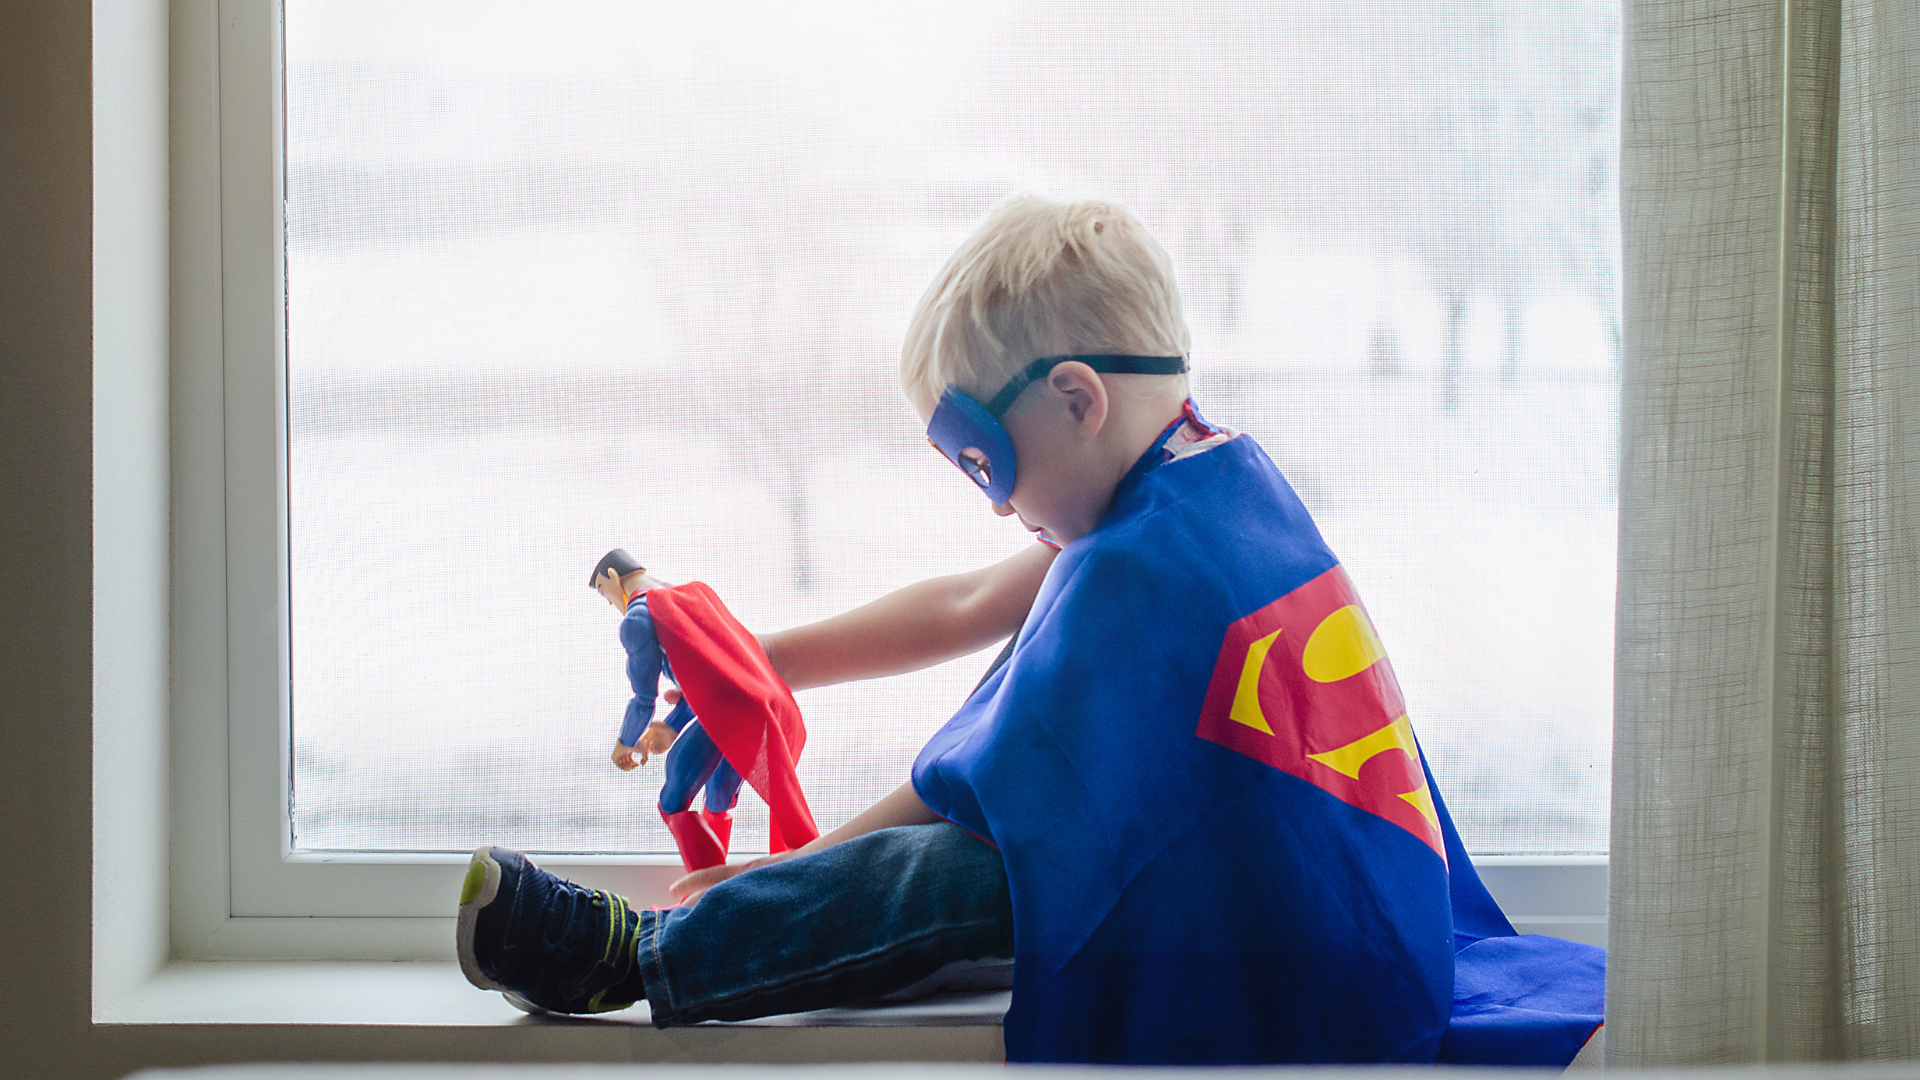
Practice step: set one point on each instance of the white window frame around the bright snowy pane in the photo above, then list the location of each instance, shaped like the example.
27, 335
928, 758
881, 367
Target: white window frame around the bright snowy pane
239, 889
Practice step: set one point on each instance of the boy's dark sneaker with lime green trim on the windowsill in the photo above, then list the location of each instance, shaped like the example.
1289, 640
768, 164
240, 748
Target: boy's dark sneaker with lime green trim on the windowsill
546, 943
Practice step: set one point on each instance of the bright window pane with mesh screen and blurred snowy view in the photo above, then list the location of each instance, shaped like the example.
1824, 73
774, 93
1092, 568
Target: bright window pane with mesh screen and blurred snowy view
575, 276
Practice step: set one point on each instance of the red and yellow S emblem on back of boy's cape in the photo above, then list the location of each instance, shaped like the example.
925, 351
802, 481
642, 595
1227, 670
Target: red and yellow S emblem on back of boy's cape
1305, 687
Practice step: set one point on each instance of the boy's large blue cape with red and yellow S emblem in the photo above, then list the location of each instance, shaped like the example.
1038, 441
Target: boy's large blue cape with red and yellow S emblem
1220, 835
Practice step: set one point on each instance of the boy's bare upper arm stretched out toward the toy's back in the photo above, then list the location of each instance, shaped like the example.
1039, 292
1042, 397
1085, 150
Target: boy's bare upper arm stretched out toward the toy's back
915, 627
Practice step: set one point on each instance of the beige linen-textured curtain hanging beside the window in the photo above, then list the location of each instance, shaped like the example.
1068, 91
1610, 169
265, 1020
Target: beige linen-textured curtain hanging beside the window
1767, 741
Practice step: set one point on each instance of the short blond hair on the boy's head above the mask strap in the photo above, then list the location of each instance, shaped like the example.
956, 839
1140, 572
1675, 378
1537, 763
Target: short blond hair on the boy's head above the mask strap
1038, 280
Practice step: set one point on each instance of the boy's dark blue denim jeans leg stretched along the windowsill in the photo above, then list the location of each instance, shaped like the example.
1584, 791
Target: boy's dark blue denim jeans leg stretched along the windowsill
846, 925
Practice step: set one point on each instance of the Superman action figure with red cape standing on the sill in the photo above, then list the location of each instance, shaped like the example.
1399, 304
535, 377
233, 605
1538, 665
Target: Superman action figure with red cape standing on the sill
750, 727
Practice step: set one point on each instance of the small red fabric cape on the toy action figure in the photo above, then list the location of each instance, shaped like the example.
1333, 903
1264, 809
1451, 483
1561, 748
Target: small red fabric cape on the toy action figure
742, 702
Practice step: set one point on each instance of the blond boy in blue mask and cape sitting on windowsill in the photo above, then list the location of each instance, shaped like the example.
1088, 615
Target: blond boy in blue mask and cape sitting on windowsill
1278, 881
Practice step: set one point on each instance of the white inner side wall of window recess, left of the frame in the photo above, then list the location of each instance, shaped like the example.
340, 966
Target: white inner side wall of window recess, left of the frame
130, 316
